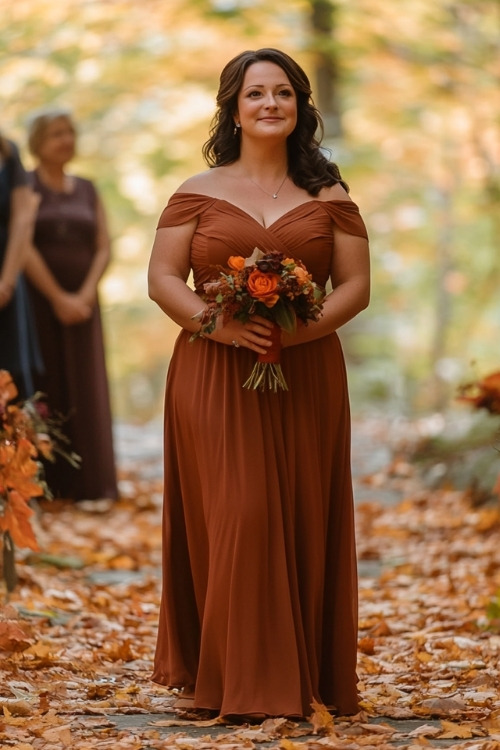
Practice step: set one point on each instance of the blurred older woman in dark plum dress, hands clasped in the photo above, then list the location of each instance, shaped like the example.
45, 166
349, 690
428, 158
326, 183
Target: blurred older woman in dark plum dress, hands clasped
71, 252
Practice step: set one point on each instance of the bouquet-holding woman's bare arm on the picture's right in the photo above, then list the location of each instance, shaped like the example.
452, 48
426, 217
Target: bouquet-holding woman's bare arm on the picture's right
350, 277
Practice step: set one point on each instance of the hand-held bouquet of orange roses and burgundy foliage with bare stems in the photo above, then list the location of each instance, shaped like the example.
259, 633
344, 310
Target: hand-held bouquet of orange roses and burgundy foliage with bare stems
270, 285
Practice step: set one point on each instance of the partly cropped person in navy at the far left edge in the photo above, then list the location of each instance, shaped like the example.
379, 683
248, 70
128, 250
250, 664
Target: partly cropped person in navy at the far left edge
18, 348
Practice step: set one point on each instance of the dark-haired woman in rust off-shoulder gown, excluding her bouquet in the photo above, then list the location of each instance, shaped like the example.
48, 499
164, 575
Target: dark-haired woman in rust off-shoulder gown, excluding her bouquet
259, 606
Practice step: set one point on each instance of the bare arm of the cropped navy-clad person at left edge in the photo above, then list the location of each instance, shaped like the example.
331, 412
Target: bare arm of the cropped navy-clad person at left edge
24, 204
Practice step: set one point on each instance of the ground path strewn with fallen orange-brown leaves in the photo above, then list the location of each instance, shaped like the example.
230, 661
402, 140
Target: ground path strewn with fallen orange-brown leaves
77, 637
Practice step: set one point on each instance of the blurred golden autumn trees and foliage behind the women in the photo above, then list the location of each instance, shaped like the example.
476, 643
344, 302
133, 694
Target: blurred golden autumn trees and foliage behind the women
410, 98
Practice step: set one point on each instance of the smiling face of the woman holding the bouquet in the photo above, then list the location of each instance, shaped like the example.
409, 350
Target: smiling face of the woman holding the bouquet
267, 103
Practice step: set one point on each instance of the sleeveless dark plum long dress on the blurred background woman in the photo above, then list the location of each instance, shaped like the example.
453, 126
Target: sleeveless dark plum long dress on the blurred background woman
75, 378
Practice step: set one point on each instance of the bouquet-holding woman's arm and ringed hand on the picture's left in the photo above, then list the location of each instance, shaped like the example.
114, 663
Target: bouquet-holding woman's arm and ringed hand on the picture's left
168, 272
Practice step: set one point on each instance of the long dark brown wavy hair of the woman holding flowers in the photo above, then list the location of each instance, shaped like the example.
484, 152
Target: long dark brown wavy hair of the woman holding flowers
308, 167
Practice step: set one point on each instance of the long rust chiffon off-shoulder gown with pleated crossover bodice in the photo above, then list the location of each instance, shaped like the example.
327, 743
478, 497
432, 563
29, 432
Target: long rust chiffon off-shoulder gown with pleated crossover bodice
259, 602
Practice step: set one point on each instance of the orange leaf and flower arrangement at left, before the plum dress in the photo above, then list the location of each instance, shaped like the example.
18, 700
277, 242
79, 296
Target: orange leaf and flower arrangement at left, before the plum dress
26, 434
